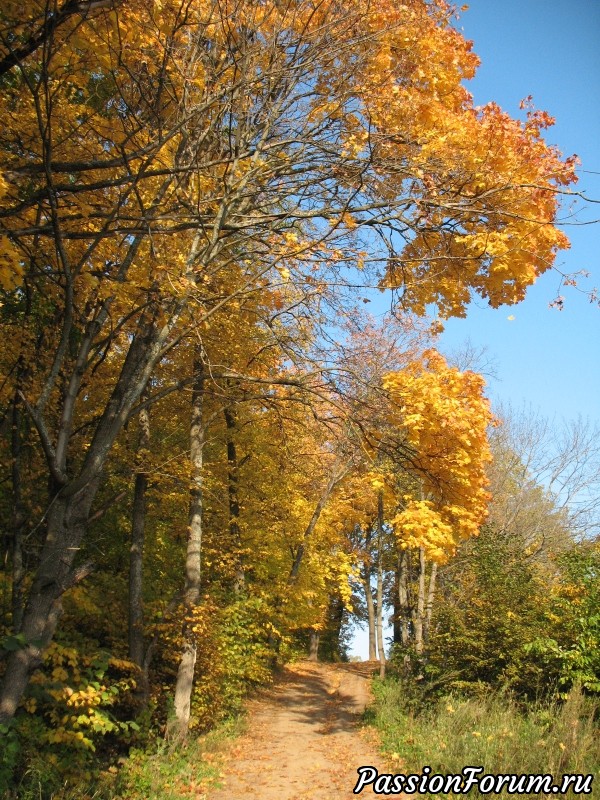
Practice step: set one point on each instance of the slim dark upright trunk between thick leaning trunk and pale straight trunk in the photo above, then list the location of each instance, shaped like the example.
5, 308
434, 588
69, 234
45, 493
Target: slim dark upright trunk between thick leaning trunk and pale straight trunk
136, 556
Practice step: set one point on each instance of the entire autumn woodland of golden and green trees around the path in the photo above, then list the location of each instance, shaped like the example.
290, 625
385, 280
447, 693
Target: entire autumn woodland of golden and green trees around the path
212, 457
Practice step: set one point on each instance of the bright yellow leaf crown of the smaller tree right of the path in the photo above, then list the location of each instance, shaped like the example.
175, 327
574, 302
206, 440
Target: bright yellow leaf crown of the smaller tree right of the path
445, 417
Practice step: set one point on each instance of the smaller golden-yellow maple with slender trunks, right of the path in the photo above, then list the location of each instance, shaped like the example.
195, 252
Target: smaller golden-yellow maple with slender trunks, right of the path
429, 474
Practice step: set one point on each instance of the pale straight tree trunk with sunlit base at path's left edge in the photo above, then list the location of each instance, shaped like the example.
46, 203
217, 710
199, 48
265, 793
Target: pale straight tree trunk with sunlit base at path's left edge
179, 727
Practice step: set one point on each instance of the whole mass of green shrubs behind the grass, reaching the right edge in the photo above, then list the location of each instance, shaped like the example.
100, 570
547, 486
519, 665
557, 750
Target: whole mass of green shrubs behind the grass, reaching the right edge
505, 622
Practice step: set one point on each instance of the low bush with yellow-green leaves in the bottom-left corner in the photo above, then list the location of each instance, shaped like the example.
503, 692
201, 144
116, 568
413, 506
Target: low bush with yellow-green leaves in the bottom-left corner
74, 702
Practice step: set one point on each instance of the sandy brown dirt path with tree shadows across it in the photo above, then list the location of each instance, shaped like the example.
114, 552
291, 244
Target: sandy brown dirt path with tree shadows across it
303, 741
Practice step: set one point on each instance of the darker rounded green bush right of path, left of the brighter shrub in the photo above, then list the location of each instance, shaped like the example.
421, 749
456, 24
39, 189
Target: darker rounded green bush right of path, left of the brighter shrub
493, 604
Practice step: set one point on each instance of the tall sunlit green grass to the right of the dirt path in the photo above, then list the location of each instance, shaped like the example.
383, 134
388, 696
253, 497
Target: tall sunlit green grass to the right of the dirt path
492, 732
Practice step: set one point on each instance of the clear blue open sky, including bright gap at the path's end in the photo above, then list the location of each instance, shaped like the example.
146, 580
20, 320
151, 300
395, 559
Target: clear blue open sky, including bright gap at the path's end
547, 359
